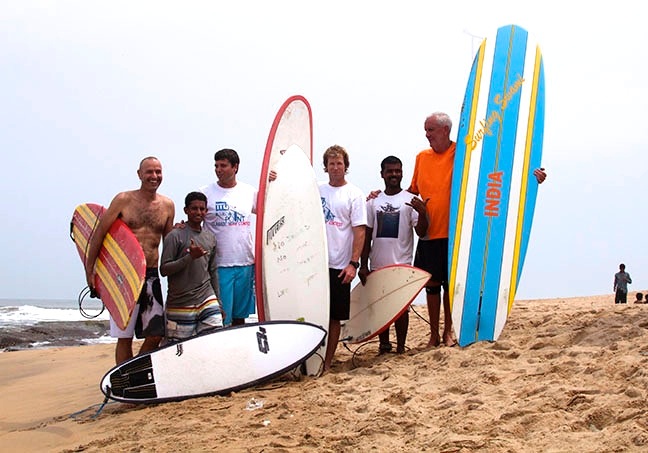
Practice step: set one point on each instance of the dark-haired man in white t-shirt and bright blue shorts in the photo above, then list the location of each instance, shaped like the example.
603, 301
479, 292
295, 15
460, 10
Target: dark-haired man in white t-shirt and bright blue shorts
230, 205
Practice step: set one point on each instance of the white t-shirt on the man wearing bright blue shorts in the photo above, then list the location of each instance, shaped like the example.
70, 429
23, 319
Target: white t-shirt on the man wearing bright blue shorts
229, 217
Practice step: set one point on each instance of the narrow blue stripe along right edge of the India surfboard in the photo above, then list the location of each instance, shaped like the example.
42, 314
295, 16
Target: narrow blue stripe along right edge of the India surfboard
535, 162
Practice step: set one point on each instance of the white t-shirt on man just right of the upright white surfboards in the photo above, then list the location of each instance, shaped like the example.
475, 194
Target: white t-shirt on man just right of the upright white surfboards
344, 208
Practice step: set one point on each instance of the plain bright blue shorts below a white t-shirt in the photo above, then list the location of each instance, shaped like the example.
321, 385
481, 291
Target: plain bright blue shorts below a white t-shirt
237, 292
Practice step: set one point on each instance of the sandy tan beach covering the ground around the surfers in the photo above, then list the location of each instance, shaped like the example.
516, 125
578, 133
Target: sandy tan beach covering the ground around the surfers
566, 375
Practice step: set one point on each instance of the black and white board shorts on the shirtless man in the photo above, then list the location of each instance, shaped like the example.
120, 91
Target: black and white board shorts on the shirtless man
147, 319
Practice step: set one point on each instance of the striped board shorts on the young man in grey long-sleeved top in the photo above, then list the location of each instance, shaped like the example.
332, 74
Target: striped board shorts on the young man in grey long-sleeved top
191, 320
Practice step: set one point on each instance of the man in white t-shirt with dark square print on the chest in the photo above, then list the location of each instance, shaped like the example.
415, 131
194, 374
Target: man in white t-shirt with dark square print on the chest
392, 218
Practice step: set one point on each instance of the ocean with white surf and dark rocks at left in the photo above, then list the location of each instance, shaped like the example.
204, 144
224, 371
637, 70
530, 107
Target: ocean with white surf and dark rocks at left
42, 323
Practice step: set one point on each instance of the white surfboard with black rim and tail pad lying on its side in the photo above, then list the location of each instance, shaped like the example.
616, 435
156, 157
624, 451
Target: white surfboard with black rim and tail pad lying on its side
220, 362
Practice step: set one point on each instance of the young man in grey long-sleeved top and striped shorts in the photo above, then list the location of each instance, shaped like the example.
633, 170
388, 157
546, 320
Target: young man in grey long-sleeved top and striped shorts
189, 263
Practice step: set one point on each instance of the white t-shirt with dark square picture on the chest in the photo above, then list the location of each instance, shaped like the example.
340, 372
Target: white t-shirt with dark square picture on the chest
392, 221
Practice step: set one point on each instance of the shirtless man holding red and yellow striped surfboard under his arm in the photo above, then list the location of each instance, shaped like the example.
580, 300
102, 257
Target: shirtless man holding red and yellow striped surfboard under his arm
150, 216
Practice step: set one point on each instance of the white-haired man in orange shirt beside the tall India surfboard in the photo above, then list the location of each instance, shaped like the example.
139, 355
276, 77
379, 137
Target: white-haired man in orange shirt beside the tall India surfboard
432, 179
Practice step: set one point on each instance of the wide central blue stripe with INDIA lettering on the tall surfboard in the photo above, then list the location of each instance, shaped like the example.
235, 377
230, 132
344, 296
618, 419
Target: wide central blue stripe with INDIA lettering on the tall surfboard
491, 207
